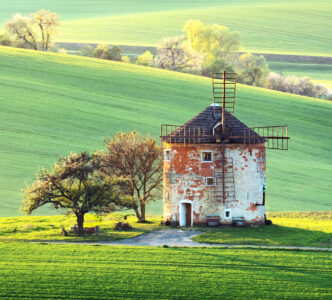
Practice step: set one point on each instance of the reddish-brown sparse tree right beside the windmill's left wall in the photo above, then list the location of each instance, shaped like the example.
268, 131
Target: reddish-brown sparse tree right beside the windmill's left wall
139, 159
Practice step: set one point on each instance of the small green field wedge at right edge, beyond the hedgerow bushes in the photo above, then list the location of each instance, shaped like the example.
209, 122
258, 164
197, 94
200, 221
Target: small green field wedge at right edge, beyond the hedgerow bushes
320, 73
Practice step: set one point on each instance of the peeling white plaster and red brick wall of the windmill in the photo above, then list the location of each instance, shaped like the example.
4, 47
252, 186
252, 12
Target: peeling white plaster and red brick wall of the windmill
185, 181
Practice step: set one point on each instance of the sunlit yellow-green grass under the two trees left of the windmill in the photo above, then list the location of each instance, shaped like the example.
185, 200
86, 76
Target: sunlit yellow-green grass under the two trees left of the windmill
48, 228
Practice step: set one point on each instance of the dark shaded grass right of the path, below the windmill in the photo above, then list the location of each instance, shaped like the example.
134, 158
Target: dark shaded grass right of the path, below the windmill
273, 235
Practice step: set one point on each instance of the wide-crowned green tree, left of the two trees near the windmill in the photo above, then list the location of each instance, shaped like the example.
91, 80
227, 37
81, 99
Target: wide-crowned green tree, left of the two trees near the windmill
76, 185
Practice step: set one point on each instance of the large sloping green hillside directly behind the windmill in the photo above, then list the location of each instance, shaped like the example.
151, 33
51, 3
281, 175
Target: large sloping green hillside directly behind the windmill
51, 104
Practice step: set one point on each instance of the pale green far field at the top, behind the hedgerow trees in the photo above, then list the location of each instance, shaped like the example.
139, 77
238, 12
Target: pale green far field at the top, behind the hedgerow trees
283, 26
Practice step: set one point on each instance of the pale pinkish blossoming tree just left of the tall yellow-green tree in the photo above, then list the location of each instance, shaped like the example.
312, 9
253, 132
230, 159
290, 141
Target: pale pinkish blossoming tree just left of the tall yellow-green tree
175, 55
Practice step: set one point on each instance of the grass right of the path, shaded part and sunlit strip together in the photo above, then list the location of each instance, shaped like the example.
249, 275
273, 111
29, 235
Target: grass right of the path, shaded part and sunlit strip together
291, 229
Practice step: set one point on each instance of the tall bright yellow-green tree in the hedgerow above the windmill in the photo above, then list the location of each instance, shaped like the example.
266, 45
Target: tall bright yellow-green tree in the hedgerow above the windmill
215, 42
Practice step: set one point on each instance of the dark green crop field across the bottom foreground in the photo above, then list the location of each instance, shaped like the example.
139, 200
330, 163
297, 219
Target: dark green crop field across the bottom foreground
104, 272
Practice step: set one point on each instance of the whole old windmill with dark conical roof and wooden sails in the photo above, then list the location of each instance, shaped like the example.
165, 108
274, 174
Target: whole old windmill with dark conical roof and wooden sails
214, 165
